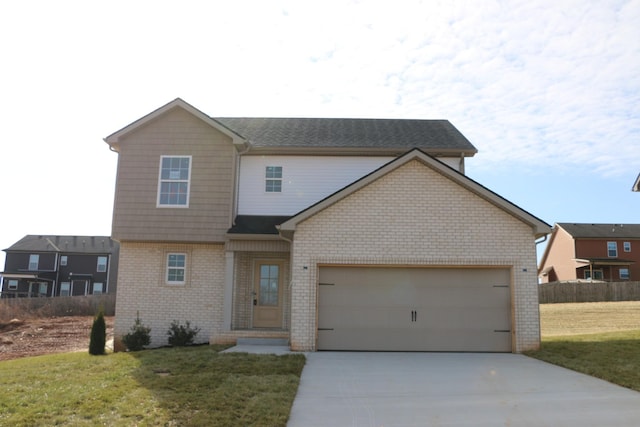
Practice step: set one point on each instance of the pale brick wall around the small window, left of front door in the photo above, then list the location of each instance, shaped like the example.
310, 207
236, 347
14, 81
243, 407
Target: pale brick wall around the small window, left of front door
142, 288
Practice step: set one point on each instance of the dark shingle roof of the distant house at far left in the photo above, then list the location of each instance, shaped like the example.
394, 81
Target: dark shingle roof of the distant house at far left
69, 244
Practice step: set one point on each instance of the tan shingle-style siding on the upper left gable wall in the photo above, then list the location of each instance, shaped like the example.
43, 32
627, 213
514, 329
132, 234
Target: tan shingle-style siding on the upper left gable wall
176, 133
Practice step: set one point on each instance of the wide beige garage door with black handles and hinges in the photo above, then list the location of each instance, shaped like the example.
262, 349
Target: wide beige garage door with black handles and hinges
414, 309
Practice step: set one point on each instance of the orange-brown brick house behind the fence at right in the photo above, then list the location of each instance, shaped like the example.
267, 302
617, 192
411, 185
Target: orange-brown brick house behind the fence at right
609, 252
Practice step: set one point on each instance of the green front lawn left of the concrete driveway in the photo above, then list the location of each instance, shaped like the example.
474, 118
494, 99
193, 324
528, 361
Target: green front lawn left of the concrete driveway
166, 387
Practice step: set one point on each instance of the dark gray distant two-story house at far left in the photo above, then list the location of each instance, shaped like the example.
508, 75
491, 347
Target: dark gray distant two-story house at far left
46, 266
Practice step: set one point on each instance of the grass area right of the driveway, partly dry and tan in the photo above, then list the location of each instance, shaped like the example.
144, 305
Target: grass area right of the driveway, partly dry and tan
608, 346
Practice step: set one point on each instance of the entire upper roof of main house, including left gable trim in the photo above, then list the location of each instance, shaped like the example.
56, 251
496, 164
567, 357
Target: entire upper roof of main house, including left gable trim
304, 135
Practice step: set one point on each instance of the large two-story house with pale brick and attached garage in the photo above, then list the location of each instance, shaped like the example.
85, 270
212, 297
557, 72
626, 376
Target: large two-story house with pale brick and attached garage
331, 234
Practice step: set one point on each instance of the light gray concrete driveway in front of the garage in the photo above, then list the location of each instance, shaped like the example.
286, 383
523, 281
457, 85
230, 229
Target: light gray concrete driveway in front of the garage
454, 389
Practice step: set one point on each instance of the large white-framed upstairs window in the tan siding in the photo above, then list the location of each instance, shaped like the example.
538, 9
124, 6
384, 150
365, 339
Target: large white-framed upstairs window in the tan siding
174, 181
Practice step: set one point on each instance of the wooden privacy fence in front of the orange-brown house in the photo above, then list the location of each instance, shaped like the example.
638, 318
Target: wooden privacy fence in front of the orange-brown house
557, 292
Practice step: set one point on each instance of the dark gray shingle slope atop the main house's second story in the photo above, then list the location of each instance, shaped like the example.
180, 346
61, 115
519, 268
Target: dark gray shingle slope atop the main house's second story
428, 135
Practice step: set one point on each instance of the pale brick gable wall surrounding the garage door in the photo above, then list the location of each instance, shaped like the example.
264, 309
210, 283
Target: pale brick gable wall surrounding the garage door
414, 216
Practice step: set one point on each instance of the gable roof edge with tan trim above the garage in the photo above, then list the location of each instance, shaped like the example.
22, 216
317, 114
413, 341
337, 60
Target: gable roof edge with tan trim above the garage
540, 227
